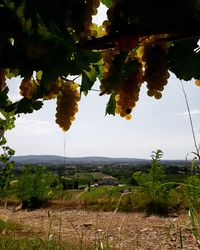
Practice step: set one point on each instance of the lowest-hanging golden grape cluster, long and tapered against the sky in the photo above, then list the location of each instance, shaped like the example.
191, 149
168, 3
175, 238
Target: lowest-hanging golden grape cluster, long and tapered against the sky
67, 106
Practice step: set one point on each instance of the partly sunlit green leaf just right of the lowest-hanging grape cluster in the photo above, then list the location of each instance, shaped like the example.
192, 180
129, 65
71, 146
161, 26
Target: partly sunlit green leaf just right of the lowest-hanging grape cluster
88, 80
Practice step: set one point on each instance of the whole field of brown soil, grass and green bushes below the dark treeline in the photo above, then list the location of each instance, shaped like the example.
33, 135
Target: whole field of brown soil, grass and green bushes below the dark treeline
148, 209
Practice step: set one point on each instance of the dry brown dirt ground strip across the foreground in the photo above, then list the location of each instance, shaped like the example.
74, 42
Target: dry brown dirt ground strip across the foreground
124, 231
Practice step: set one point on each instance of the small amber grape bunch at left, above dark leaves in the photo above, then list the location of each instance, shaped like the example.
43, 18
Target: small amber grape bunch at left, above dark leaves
28, 87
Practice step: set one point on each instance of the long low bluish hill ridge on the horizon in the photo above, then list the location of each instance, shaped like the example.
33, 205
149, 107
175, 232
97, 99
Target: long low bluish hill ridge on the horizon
55, 159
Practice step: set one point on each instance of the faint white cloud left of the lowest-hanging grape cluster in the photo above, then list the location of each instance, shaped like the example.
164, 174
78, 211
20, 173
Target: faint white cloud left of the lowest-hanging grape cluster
33, 127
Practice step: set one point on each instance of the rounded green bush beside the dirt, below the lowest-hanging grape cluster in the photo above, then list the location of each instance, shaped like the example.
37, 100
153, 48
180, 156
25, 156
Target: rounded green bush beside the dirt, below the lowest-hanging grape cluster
35, 186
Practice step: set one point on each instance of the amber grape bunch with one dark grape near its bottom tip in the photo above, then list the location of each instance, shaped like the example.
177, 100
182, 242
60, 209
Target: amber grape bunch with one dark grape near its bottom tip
127, 93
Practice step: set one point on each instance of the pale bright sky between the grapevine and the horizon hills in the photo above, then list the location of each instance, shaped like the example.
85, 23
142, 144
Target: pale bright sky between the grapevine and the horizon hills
156, 124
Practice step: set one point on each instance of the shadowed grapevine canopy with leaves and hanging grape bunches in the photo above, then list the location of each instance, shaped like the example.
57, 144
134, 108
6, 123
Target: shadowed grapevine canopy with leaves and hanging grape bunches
46, 43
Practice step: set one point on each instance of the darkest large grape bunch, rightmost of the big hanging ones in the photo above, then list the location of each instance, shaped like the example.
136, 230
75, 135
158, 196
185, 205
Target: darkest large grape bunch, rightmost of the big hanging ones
156, 69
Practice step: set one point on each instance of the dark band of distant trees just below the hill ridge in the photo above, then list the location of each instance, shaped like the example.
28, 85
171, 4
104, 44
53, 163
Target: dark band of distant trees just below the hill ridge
121, 171
